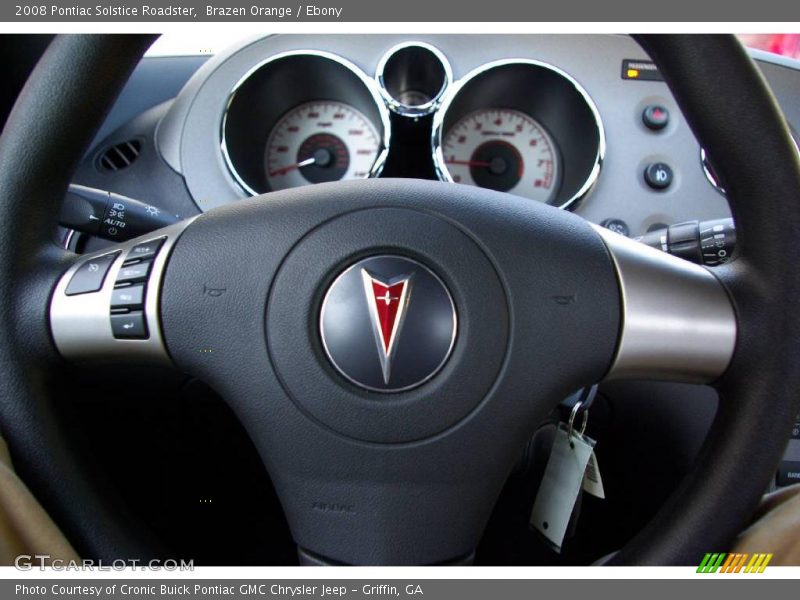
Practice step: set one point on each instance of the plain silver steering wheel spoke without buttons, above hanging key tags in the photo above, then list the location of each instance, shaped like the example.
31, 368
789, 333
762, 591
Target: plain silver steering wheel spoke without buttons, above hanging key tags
678, 323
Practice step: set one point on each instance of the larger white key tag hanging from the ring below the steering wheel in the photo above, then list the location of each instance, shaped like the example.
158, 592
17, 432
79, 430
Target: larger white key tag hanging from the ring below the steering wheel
561, 485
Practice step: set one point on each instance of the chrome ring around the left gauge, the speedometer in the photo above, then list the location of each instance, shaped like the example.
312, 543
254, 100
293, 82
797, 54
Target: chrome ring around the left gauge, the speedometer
369, 83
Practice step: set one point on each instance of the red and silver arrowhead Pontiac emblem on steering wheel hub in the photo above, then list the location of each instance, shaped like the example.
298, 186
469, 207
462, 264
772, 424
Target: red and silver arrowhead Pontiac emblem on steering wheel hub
388, 301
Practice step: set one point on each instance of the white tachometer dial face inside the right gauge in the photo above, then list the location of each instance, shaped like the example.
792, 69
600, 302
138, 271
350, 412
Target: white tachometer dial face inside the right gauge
503, 150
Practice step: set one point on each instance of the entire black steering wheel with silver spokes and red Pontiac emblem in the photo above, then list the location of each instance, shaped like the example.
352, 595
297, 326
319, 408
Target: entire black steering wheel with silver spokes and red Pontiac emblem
390, 345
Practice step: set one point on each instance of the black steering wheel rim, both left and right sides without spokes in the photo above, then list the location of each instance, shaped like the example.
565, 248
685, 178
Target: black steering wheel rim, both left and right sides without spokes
721, 93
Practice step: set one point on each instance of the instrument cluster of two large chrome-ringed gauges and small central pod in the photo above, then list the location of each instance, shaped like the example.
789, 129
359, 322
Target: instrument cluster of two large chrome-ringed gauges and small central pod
516, 125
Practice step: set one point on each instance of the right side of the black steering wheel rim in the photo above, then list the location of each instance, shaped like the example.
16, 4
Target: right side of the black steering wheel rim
755, 411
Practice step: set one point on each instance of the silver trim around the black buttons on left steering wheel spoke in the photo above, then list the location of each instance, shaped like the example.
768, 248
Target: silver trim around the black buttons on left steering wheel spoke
81, 325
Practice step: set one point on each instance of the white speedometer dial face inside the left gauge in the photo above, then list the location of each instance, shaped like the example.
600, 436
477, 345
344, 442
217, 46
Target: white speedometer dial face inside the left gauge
320, 141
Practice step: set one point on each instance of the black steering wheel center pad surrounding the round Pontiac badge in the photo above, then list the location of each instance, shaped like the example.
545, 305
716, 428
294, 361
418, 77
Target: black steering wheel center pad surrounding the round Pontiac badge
538, 314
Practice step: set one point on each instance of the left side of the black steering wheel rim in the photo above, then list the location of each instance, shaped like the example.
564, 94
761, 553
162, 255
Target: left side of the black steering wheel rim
65, 99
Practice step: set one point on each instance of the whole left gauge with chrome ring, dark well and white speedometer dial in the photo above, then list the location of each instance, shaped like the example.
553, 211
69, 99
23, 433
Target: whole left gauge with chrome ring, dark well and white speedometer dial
304, 117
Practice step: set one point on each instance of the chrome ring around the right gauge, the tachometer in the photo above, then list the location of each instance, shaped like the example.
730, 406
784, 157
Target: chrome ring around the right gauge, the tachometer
437, 134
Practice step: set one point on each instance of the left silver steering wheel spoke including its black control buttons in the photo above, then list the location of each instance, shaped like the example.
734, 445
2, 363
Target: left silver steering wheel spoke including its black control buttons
106, 307
